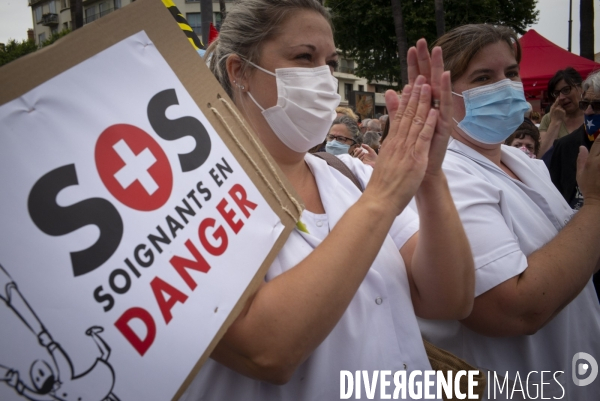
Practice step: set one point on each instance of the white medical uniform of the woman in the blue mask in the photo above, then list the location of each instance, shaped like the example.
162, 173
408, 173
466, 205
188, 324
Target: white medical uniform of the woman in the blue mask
506, 220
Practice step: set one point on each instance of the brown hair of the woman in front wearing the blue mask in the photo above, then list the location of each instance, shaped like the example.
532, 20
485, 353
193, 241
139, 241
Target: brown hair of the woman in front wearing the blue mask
462, 43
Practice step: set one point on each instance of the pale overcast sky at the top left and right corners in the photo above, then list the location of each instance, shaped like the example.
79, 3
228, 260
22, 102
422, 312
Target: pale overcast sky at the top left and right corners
15, 19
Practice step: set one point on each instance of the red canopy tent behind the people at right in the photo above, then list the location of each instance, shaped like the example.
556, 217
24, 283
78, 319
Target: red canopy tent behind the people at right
542, 58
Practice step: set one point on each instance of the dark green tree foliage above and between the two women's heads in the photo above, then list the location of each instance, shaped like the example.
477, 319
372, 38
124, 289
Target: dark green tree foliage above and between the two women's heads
364, 30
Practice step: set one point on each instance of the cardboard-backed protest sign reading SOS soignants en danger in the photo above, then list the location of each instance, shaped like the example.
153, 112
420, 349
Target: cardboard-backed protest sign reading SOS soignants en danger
137, 213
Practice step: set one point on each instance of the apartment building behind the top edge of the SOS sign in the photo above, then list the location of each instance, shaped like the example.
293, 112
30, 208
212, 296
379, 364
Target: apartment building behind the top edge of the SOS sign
52, 16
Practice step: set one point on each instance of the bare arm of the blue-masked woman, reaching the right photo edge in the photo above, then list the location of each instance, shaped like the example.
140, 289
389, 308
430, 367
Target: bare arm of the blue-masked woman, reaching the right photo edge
555, 274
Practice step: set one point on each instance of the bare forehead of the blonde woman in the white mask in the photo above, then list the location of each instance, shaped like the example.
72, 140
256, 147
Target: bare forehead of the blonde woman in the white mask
305, 27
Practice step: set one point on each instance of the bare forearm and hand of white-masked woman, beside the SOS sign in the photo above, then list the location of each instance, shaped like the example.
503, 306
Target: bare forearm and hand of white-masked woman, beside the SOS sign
288, 317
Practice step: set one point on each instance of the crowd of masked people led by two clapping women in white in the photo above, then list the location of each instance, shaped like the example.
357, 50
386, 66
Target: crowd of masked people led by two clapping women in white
450, 235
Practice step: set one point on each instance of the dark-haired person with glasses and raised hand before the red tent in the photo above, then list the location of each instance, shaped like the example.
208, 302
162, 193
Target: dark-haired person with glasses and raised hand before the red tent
564, 116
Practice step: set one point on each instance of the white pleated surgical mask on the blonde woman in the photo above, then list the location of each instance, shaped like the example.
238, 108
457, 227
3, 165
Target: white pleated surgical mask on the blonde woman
305, 109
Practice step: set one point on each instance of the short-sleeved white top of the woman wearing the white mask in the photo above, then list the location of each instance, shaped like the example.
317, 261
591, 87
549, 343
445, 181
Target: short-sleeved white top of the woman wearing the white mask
379, 329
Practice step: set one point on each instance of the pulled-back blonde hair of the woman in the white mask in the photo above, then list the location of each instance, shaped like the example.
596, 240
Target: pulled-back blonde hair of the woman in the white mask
248, 25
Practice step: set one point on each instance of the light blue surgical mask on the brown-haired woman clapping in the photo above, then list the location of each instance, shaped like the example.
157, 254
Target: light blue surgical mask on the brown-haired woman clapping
493, 112
